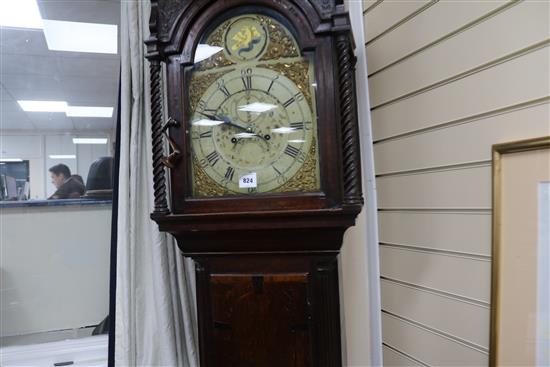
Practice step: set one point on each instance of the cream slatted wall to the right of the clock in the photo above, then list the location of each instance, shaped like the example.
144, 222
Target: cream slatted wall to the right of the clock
447, 79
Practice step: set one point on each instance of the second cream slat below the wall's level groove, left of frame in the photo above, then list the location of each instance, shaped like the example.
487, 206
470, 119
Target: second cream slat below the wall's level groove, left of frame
438, 271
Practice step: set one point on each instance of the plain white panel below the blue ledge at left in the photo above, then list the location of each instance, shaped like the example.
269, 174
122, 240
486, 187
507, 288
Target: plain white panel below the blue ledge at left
54, 268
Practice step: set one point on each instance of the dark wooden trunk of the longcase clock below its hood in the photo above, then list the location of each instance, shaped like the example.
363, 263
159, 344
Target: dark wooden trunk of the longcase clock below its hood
272, 308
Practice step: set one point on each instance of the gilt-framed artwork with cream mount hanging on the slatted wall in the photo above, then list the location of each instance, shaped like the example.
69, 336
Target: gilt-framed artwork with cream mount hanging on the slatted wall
520, 318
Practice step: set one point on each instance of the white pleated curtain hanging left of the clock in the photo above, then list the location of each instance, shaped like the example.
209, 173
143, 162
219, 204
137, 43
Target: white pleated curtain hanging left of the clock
155, 296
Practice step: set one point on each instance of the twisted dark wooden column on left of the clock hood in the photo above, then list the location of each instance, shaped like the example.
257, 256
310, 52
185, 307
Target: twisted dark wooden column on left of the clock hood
159, 181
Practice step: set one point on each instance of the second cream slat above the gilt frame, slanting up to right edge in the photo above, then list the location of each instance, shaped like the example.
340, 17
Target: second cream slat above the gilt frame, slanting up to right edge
501, 86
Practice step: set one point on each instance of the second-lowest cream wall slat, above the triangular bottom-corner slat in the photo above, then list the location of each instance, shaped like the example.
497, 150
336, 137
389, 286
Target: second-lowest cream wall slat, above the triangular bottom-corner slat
430, 348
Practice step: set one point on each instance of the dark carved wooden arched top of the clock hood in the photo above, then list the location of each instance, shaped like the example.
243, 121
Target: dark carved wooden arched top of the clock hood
173, 22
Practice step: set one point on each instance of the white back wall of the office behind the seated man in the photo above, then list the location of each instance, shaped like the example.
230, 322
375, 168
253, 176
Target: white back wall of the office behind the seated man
37, 146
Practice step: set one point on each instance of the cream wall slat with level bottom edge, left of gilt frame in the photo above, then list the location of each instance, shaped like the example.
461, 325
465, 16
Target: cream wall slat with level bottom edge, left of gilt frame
465, 188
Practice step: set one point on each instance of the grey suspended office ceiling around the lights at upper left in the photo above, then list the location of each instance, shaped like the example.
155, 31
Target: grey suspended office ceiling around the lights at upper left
29, 71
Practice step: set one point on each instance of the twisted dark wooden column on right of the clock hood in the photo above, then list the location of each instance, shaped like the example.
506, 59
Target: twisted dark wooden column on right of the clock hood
350, 129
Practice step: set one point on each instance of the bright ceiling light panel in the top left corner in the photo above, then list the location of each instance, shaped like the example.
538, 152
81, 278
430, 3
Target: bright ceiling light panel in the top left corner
20, 14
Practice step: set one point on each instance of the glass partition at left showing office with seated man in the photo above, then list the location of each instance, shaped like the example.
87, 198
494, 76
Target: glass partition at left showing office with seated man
59, 80
